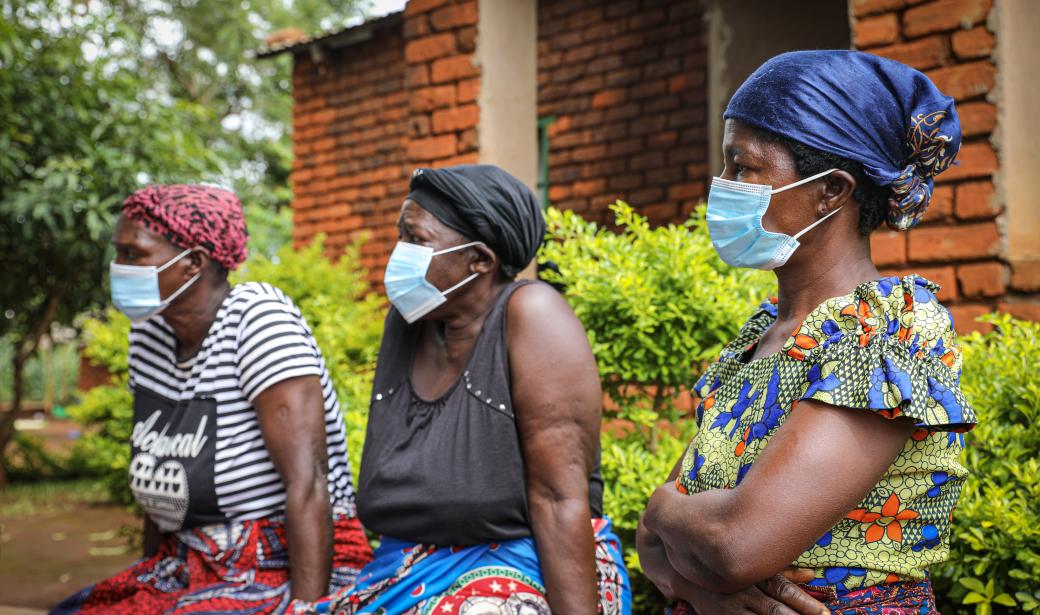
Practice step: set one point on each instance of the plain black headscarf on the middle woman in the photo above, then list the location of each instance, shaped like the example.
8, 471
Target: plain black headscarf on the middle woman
486, 204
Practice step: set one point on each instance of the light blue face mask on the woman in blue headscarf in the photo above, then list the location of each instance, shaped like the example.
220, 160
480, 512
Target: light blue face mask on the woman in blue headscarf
735, 217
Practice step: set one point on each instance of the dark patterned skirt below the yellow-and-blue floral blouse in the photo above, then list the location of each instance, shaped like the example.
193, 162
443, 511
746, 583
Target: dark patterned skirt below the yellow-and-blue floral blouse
908, 598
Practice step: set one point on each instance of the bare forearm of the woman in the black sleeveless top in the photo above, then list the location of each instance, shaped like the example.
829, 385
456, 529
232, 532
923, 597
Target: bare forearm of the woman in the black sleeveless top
567, 552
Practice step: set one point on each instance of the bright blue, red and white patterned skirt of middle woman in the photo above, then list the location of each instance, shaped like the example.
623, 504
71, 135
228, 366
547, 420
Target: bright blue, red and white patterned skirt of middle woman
496, 579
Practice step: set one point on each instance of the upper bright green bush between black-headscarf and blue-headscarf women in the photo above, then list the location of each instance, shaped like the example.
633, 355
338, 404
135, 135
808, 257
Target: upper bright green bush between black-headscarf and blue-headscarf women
656, 302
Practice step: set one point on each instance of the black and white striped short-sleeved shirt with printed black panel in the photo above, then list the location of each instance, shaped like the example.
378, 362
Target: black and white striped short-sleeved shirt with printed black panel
258, 340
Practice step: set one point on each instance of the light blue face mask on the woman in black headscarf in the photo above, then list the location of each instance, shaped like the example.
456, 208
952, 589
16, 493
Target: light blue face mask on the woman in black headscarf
406, 280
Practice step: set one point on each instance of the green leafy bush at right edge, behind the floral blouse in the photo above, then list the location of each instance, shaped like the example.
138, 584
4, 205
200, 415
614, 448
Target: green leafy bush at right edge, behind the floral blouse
995, 562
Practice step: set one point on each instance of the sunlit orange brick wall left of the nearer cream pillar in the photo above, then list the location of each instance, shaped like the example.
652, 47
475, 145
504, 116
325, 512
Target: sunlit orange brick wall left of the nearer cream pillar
367, 115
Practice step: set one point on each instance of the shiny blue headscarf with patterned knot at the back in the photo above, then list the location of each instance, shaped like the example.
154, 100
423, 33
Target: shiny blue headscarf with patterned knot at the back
876, 112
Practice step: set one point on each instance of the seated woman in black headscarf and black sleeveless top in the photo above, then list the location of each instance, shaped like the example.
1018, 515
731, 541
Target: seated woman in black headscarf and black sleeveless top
481, 467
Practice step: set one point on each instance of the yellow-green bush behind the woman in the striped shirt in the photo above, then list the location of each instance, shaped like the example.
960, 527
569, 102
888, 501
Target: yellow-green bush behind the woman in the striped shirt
347, 320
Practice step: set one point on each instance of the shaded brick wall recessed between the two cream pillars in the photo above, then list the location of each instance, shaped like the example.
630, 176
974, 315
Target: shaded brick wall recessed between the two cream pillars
626, 81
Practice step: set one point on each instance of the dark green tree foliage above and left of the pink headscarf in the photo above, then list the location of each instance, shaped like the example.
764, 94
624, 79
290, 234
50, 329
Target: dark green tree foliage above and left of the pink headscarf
77, 136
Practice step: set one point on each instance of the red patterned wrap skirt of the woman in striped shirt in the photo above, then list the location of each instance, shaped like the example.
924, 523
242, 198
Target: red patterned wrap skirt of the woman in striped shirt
239, 568
